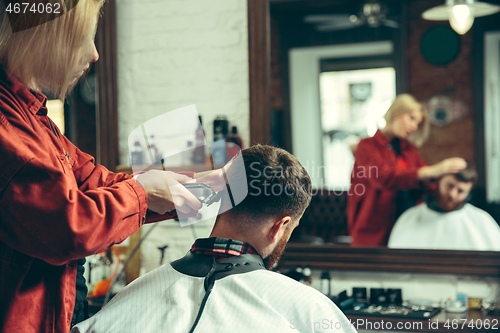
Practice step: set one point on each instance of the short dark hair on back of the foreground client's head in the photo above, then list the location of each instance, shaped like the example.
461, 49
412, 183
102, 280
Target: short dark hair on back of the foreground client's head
278, 184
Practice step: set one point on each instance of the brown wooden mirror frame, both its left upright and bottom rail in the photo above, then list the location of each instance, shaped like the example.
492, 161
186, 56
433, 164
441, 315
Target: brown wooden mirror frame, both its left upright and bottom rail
482, 263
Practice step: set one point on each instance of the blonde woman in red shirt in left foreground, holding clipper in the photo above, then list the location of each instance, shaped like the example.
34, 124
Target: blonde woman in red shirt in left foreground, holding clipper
56, 205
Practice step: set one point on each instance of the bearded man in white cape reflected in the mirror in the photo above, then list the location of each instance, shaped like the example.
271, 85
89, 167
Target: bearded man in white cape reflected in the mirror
446, 221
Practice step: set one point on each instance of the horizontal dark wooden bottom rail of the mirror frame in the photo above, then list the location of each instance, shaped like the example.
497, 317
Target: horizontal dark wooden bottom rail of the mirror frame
382, 259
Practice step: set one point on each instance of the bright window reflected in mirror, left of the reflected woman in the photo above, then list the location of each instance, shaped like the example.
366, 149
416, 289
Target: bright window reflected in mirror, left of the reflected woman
353, 104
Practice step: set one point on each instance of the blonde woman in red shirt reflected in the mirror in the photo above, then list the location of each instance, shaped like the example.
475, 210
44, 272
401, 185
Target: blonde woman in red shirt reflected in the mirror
391, 173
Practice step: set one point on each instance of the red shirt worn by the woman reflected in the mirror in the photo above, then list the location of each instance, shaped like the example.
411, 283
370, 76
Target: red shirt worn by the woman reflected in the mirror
378, 175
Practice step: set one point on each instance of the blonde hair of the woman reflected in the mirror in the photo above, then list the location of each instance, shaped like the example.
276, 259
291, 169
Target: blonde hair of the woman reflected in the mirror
406, 103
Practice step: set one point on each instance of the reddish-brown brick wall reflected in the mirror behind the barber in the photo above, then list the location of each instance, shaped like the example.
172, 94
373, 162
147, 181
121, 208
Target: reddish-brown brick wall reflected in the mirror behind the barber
453, 80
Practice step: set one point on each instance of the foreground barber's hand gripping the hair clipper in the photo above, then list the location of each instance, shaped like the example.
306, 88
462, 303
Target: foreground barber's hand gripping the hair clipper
165, 191
